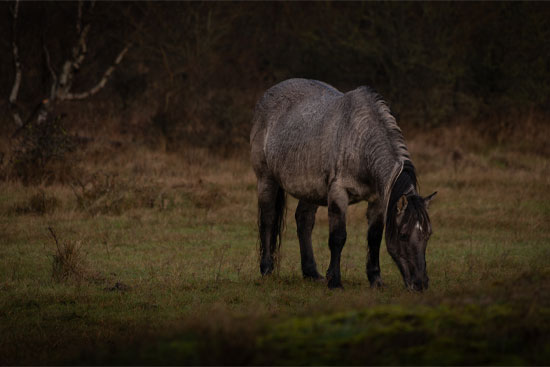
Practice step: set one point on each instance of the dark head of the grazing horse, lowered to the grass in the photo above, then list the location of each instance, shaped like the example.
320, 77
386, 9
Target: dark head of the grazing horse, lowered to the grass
407, 235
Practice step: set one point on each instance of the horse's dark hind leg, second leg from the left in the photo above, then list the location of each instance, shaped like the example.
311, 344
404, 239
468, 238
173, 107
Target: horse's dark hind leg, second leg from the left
305, 220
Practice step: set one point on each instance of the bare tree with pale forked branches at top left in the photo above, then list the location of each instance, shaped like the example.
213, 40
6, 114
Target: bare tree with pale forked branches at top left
61, 88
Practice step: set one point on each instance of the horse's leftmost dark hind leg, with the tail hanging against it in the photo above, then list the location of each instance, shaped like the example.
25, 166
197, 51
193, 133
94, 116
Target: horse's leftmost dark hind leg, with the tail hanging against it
270, 211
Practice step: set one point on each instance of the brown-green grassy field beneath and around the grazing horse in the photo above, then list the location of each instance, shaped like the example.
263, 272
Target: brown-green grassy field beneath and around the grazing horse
152, 258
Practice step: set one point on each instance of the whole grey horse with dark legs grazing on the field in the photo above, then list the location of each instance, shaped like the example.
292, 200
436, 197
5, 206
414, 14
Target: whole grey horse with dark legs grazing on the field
329, 148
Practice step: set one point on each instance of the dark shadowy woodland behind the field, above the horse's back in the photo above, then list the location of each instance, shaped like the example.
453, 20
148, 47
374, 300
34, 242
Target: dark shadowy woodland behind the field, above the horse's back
195, 70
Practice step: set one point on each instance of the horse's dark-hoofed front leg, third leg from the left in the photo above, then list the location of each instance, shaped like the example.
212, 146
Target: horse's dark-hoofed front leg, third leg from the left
337, 206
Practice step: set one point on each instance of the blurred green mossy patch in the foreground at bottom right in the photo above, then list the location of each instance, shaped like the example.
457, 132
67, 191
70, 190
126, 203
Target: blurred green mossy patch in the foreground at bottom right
440, 335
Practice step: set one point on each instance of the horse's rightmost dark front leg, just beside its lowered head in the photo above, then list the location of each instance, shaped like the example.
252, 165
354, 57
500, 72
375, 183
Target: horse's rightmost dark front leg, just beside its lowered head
374, 238
